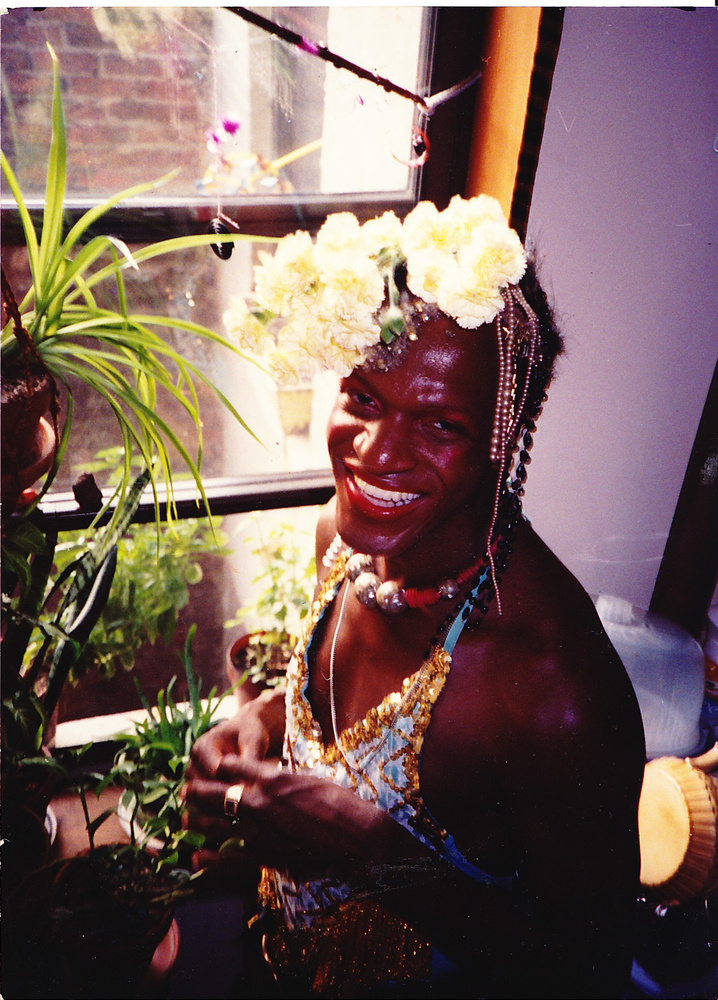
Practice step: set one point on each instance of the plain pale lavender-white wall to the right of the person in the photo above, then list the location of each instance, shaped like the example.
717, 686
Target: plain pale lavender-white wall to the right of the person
625, 223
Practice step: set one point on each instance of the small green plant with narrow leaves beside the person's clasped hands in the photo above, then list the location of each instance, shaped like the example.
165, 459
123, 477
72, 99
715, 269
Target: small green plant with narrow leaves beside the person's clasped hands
151, 763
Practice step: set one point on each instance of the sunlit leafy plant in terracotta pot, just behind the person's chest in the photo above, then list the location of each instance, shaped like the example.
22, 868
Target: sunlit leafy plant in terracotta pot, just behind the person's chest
274, 619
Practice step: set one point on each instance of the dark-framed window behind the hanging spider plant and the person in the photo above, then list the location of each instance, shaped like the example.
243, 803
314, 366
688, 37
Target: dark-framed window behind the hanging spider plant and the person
254, 128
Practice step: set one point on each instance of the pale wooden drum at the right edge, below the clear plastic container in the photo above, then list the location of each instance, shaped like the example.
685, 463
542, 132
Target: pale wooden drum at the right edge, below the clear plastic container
678, 828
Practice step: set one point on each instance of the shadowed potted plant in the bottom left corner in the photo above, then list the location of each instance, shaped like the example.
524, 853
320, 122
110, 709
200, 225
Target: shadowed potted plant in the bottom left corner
89, 925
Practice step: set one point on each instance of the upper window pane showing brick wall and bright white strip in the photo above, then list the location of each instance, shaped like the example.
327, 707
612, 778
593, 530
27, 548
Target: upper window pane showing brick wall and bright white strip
234, 110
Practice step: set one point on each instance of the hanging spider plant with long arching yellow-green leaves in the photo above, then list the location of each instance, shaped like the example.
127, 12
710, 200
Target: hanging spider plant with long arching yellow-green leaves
120, 354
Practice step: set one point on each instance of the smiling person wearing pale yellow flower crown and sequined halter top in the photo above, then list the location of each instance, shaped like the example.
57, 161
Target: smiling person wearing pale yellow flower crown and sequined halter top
455, 811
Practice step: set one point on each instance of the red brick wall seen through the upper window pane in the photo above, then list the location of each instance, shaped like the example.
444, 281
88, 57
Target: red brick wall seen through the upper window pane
136, 107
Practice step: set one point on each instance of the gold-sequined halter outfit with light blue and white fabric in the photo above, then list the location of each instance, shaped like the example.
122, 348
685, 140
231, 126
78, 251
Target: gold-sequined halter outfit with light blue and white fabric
337, 934
